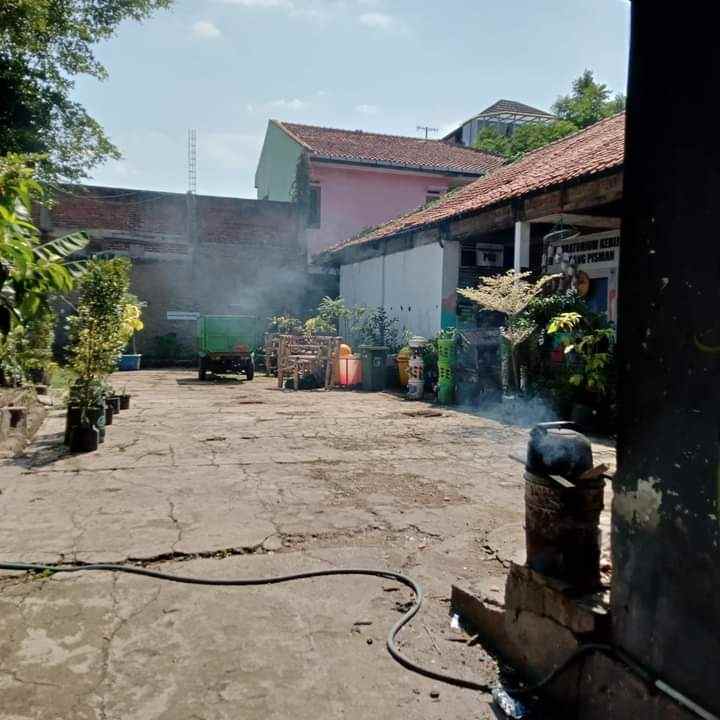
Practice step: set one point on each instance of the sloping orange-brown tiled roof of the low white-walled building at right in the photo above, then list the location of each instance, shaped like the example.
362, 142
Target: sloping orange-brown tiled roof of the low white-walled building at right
591, 151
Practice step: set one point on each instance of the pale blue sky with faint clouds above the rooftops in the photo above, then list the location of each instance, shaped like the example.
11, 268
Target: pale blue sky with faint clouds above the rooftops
226, 66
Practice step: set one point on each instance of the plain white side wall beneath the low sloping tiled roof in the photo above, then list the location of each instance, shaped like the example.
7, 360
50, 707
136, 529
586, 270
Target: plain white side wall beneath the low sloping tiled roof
409, 284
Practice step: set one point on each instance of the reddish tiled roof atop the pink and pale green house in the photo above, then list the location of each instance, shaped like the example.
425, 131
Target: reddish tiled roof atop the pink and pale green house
391, 150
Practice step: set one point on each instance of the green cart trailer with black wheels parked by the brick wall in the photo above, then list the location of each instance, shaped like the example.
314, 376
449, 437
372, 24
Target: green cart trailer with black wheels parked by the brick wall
226, 344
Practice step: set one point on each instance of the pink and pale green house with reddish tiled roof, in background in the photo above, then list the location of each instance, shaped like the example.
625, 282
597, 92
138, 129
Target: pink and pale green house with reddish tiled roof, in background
360, 179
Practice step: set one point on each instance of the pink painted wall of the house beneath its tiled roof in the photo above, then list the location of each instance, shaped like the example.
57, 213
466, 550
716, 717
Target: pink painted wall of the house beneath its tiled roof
353, 199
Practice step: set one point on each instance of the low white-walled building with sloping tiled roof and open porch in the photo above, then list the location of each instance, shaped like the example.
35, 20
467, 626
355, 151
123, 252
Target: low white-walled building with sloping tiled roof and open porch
413, 265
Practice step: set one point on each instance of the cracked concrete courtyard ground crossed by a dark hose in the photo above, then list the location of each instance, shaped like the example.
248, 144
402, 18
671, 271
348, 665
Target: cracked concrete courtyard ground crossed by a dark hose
236, 480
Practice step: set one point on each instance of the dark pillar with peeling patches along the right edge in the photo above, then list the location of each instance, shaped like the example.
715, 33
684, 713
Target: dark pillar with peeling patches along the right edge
666, 512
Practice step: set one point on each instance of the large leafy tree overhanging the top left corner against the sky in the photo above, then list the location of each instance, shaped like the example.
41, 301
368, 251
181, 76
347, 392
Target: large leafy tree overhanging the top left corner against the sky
44, 46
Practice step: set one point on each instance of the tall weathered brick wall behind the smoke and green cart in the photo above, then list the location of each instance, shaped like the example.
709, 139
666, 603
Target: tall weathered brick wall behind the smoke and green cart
248, 257
